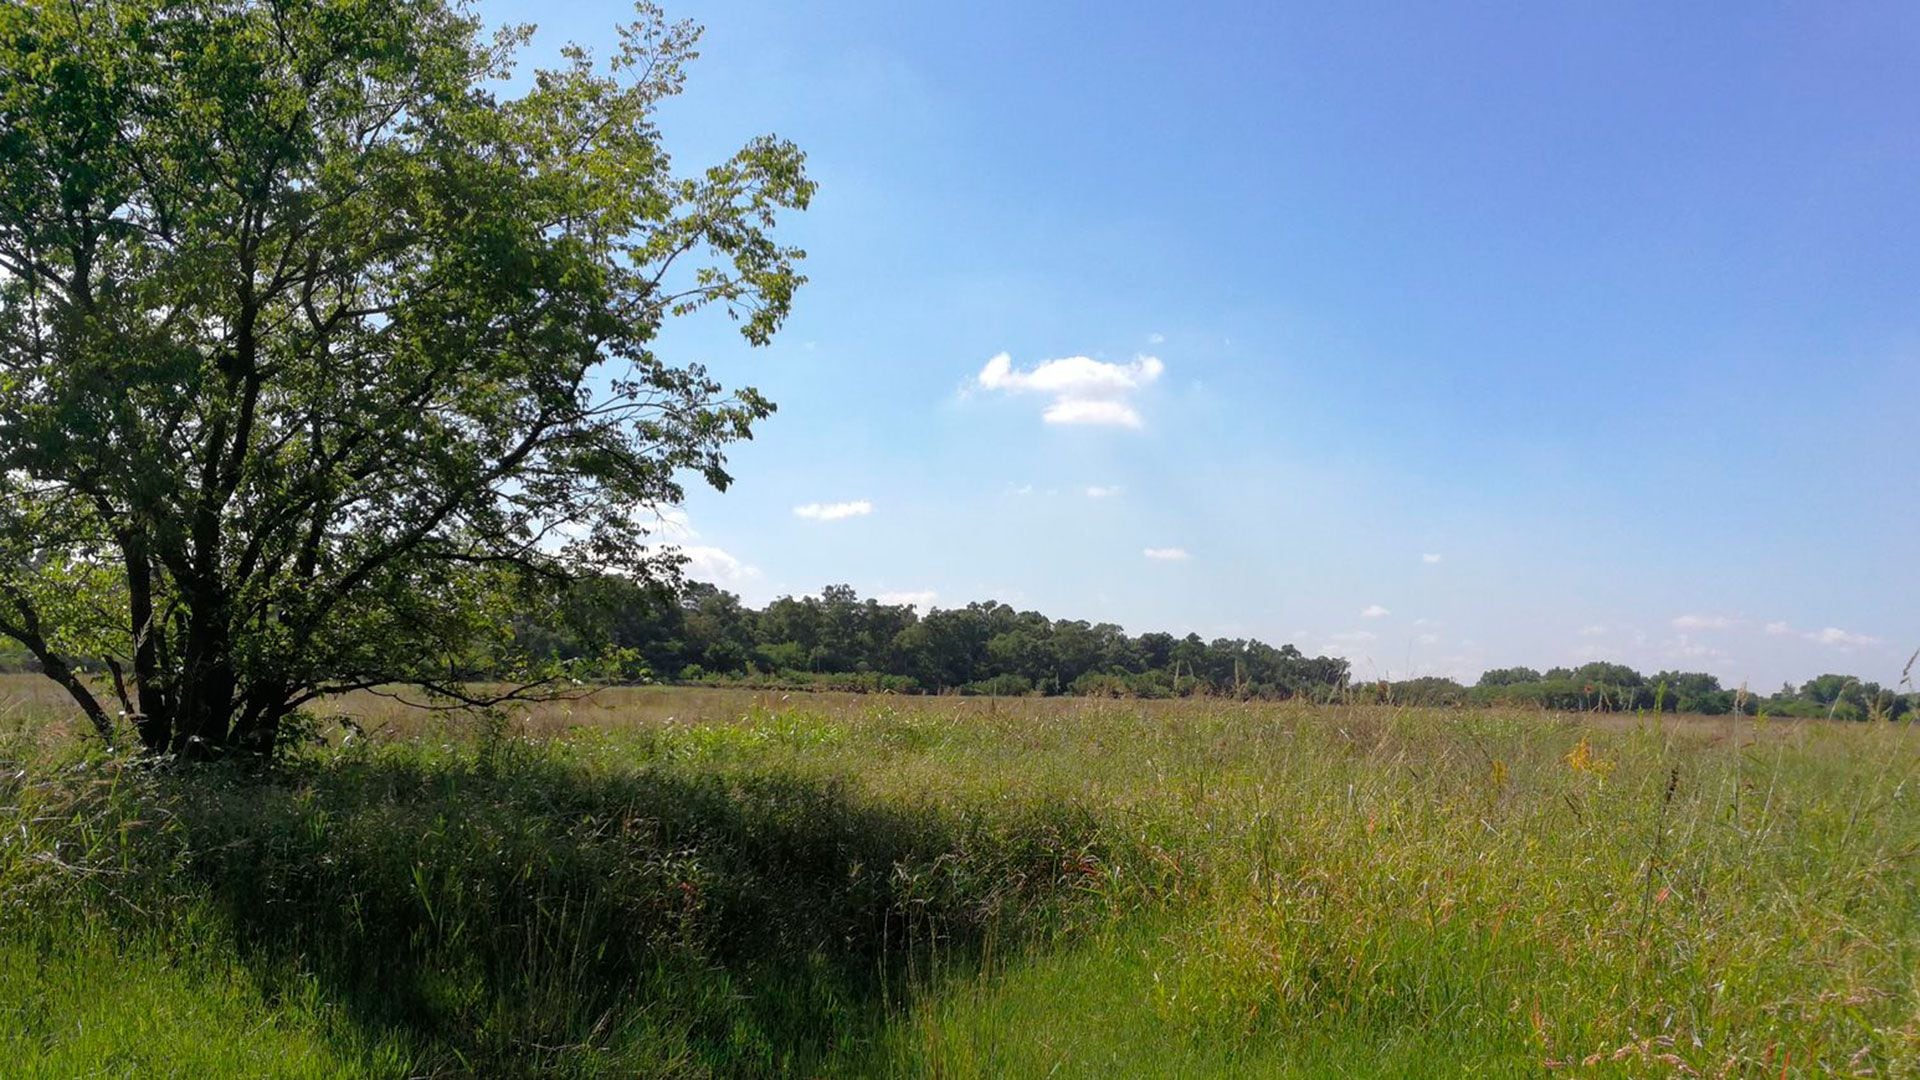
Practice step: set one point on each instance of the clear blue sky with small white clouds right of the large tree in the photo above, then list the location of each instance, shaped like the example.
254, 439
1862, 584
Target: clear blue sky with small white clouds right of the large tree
1477, 337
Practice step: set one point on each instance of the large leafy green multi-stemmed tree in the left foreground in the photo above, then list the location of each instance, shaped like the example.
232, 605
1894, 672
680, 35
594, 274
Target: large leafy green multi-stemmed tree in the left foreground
320, 355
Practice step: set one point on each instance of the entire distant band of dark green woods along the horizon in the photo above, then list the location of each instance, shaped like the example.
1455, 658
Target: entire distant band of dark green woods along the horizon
698, 633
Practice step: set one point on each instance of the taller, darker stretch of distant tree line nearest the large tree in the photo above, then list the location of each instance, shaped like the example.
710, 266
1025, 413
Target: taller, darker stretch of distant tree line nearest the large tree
696, 633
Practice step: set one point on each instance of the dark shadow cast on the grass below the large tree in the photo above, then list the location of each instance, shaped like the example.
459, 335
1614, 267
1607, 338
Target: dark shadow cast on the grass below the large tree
512, 912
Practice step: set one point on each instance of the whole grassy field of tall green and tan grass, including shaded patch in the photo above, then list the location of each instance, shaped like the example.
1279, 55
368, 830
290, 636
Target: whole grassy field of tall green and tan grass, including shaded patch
675, 883
